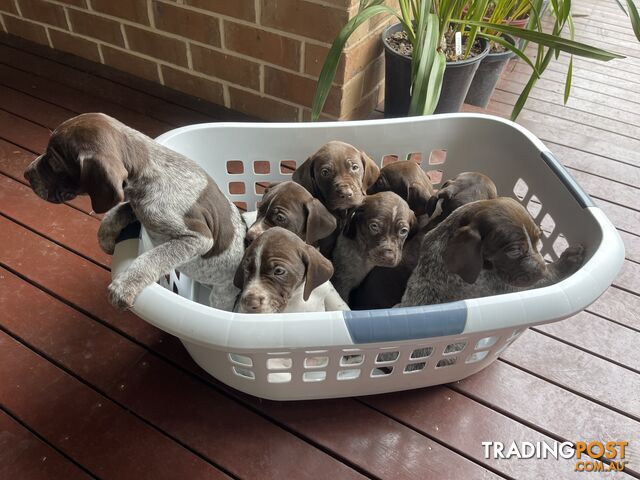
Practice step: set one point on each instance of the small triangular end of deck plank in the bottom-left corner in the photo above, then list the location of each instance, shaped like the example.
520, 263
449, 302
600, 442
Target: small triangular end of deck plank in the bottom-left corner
24, 456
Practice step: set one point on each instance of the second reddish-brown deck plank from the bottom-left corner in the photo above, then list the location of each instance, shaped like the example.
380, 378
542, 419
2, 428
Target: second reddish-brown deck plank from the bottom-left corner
88, 427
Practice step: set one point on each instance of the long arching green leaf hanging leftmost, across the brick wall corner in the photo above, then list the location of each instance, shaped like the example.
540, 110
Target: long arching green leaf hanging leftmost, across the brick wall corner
330, 66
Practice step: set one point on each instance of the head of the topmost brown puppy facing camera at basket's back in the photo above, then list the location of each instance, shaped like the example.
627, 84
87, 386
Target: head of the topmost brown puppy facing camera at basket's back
338, 175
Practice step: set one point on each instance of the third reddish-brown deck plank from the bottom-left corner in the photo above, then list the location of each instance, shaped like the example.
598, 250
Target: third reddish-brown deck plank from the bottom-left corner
207, 422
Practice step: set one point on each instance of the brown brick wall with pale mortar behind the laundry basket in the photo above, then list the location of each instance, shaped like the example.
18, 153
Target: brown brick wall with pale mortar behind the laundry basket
260, 57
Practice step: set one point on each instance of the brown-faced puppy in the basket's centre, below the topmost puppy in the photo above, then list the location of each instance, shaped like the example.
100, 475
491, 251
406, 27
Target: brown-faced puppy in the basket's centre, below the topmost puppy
374, 236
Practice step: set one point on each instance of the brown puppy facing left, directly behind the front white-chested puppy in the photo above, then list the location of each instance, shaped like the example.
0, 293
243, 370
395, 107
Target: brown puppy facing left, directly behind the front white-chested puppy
289, 205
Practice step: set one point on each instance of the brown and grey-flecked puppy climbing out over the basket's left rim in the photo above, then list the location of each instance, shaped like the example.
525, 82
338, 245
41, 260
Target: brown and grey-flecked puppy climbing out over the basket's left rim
193, 226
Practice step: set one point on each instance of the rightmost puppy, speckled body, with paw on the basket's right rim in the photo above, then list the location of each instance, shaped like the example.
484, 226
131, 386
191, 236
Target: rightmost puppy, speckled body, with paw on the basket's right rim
484, 248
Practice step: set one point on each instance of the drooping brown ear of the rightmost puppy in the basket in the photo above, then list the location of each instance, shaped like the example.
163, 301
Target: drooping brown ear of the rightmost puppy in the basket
463, 254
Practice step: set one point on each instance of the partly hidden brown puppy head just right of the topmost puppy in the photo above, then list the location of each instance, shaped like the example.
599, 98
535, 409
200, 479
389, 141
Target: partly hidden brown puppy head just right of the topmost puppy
408, 180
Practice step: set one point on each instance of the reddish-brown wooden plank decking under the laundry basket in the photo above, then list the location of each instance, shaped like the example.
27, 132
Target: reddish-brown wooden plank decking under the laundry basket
86, 391
